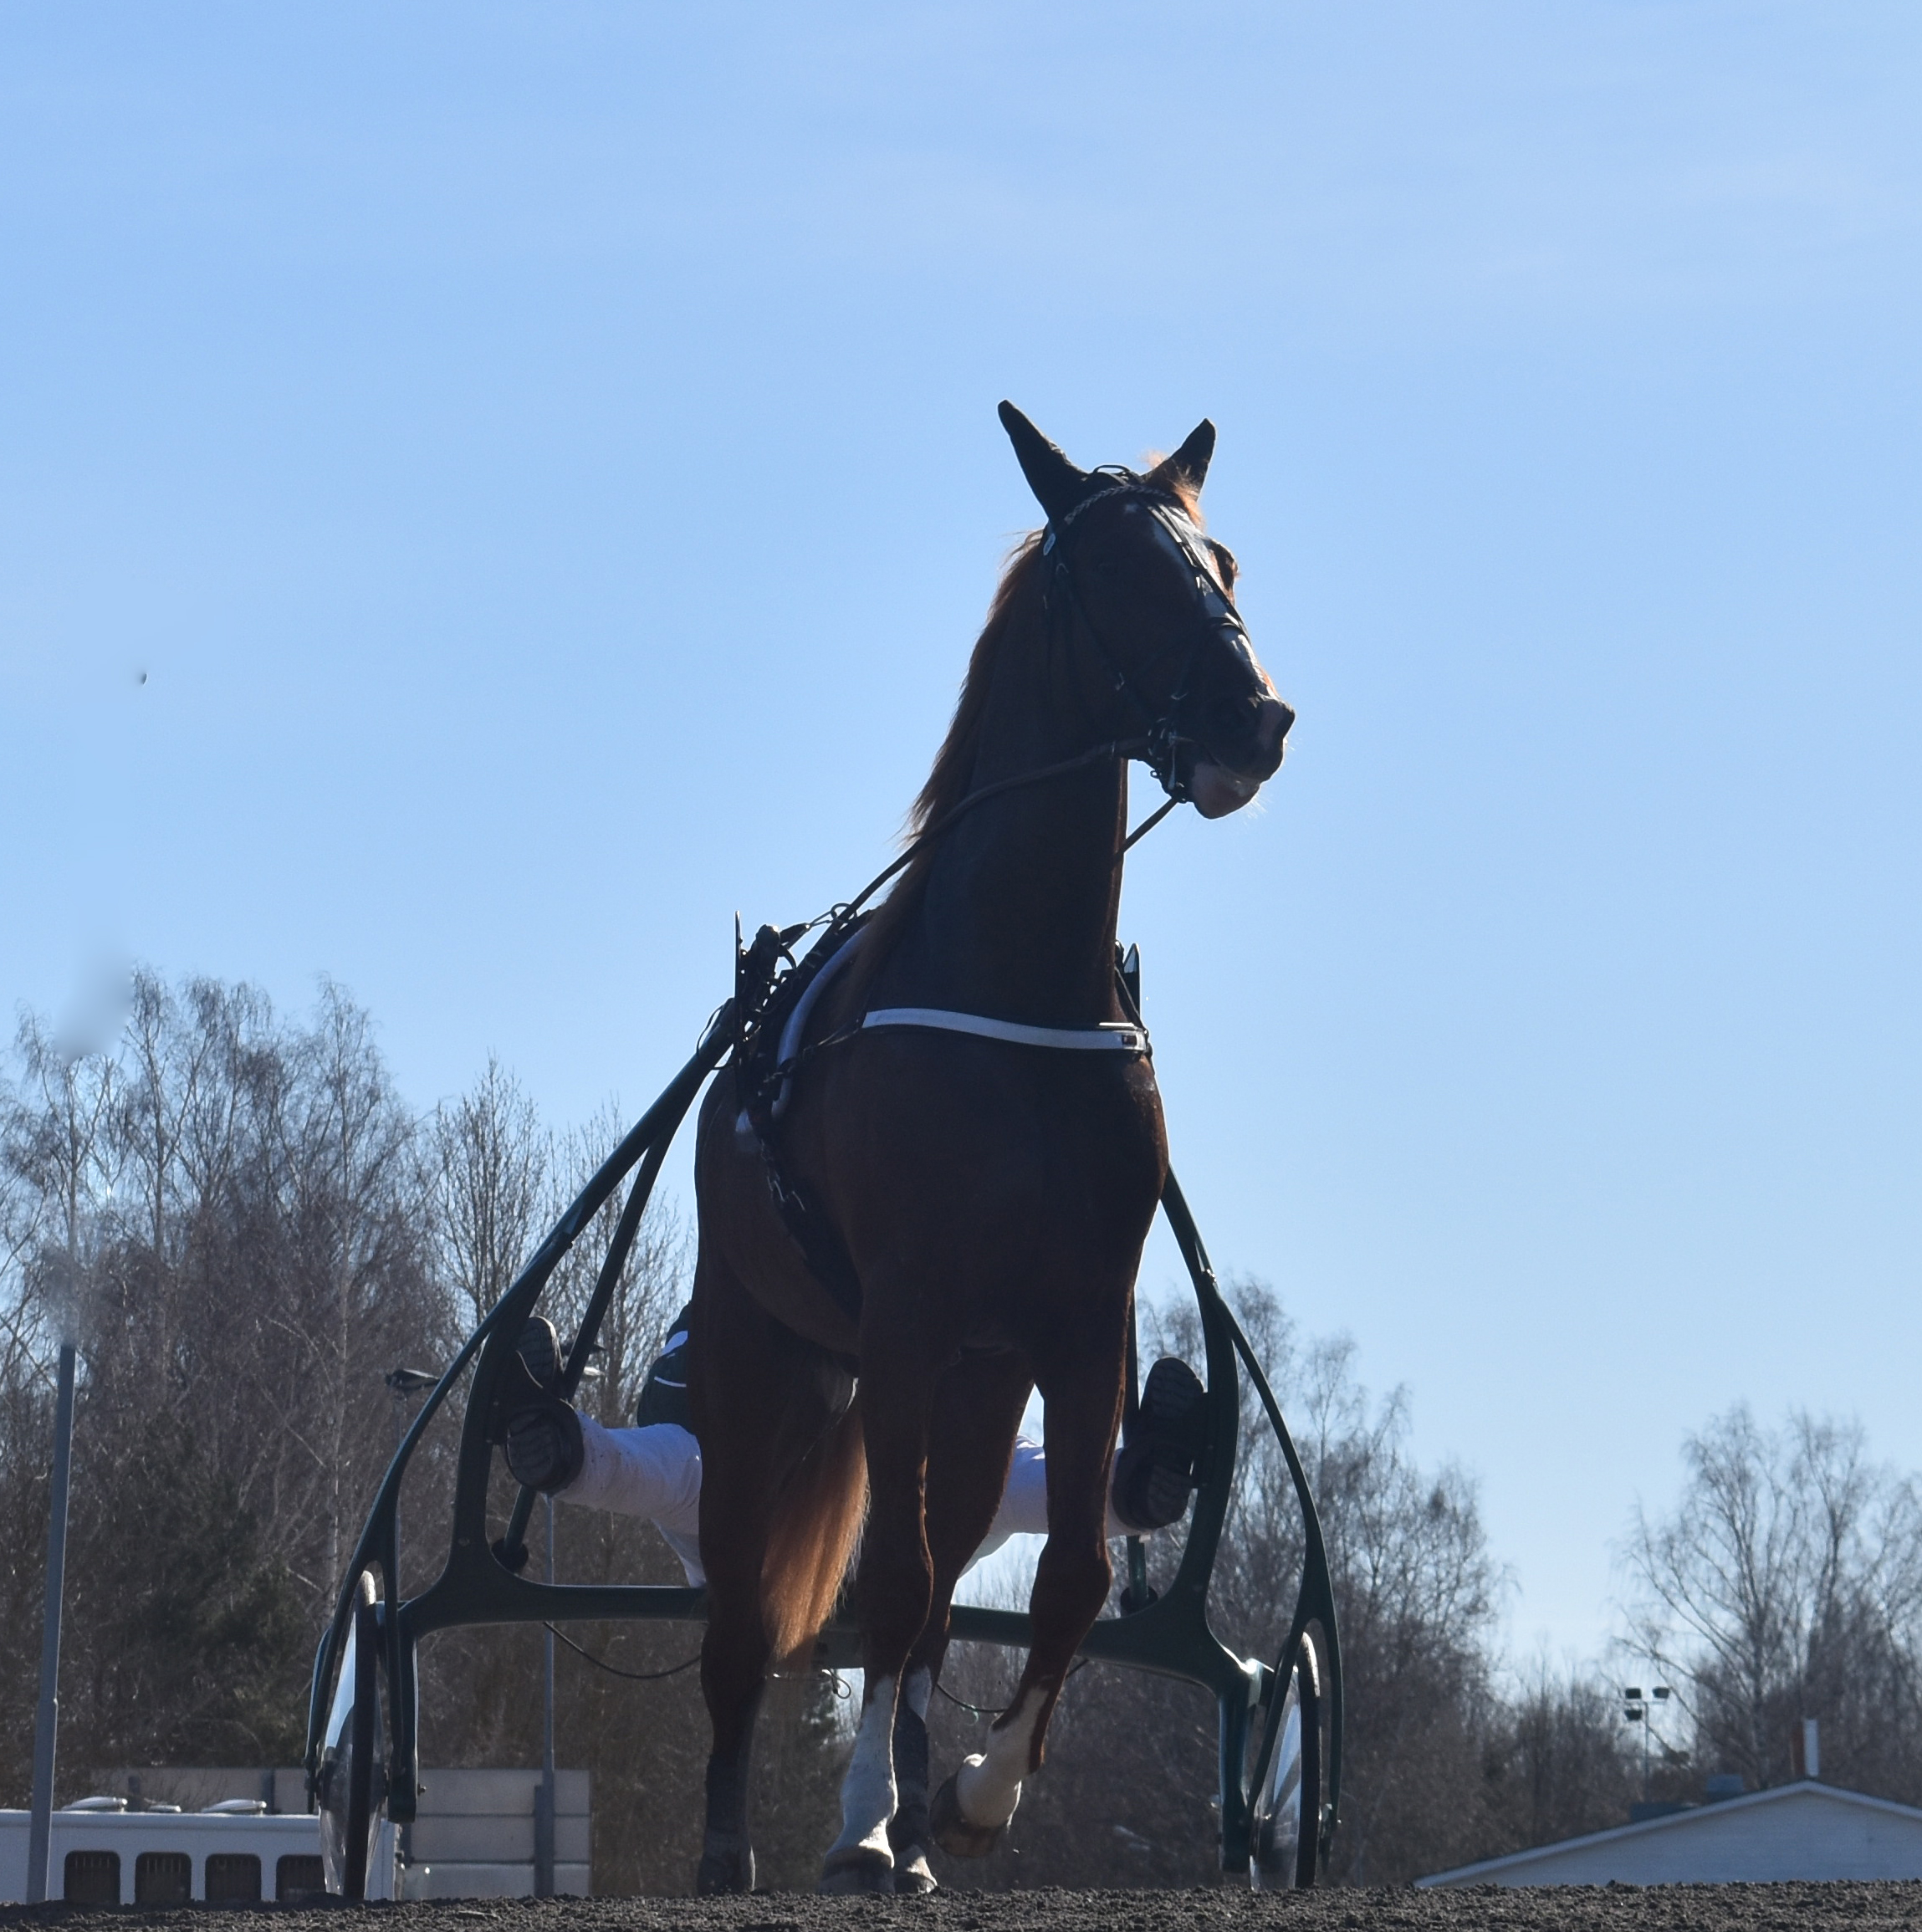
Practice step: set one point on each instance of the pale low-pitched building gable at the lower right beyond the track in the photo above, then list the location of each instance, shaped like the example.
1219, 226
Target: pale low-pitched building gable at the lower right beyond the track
1801, 1831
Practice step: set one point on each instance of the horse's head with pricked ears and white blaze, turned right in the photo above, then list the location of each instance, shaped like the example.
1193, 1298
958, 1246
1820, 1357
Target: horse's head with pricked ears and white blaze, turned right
1125, 555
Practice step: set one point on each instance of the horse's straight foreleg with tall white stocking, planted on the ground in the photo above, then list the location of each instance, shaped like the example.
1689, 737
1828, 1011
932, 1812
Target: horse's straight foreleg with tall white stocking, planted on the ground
895, 1587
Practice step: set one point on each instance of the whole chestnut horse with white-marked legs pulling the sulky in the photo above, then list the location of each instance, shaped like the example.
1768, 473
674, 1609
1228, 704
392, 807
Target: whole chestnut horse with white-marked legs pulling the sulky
980, 1183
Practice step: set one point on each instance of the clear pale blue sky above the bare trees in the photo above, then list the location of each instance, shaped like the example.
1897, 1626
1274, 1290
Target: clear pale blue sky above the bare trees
544, 463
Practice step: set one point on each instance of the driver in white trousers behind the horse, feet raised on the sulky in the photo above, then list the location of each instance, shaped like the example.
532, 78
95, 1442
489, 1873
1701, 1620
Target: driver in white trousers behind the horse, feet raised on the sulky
654, 1469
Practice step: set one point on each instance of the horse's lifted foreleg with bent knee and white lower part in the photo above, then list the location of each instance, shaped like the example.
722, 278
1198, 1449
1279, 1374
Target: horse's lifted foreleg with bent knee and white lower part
973, 1809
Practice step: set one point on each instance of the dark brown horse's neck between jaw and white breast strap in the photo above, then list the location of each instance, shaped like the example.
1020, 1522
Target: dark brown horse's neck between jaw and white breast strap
1019, 913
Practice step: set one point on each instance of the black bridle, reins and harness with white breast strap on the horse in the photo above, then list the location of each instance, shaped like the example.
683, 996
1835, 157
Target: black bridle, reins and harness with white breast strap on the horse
776, 994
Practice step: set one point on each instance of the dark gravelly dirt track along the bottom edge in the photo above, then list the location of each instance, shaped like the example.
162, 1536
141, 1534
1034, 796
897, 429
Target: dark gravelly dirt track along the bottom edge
1550, 1910
